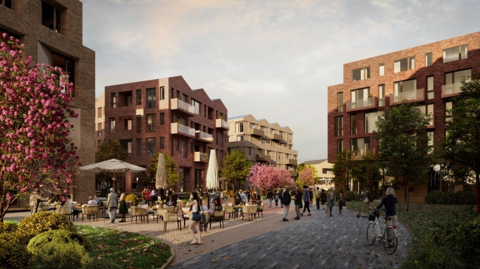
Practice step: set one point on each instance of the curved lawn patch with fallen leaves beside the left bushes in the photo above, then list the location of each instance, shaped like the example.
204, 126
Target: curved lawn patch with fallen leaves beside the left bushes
127, 249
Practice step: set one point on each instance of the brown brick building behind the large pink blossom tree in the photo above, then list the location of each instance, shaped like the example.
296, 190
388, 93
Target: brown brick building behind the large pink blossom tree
52, 33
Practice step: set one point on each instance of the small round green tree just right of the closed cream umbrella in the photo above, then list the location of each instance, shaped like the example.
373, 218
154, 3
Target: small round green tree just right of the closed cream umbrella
235, 167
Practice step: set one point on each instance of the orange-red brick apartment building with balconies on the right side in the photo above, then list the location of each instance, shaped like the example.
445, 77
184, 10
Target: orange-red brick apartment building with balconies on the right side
428, 75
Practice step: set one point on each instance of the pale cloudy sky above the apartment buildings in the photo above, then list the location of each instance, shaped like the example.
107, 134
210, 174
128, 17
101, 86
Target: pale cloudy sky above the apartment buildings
273, 59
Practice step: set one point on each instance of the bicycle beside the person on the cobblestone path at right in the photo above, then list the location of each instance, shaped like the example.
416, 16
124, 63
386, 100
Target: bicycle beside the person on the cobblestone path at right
388, 237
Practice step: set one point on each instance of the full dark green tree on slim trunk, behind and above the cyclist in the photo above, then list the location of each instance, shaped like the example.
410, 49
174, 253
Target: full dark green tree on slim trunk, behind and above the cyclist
404, 145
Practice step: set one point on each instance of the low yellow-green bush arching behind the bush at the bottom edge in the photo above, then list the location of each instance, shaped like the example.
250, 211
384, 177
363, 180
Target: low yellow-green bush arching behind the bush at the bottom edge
59, 236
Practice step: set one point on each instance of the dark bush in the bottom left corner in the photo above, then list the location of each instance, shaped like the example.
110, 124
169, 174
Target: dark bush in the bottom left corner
13, 251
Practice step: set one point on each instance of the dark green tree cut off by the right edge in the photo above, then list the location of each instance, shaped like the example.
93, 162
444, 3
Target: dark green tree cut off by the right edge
462, 143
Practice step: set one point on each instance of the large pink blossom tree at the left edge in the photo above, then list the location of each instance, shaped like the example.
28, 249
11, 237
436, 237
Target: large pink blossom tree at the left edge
35, 151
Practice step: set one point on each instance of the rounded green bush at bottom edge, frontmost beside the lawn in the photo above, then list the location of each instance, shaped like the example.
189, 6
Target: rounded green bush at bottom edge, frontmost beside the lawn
60, 255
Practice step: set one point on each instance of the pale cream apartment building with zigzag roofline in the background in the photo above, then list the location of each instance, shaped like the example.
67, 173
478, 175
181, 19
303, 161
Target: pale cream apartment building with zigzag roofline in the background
263, 142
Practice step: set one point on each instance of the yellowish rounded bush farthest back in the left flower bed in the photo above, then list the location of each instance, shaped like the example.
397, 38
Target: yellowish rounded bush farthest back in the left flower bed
45, 221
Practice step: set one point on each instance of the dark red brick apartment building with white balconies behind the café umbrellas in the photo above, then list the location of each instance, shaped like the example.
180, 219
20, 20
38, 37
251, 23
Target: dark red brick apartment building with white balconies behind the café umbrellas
164, 115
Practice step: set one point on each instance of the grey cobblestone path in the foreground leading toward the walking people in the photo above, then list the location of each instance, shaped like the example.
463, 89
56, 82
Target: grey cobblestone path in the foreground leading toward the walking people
320, 241
